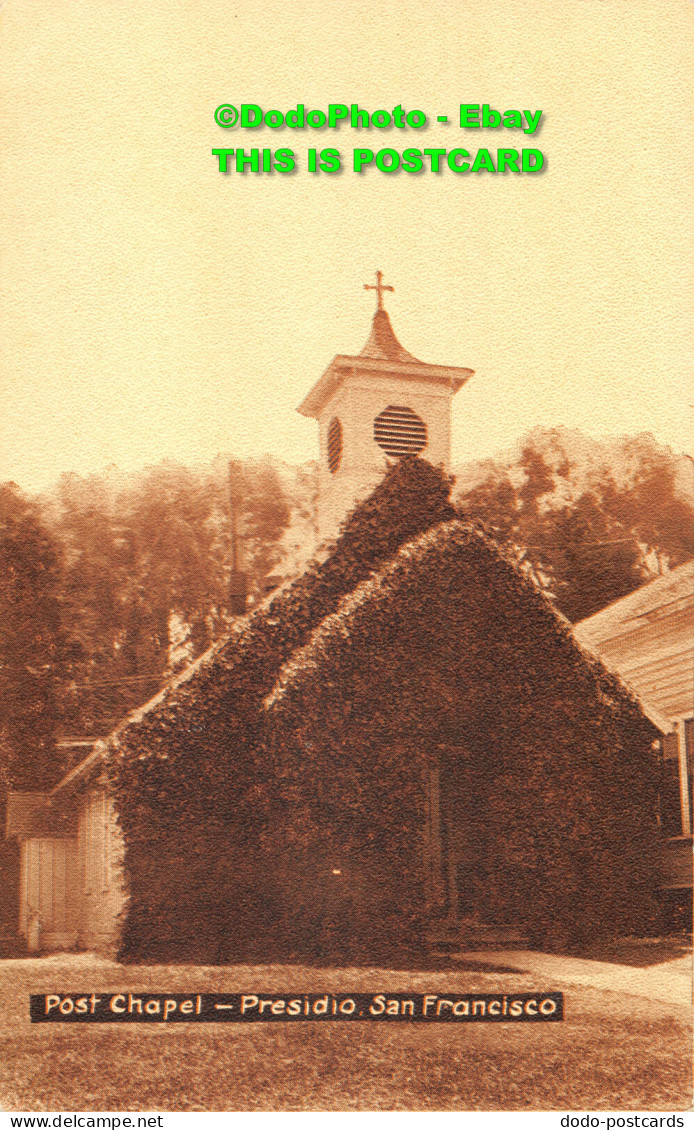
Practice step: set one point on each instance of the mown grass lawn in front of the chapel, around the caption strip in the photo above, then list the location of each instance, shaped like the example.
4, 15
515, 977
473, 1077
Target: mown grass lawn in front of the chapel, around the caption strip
612, 1053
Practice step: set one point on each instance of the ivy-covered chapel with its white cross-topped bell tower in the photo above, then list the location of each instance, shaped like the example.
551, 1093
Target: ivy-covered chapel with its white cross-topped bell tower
405, 737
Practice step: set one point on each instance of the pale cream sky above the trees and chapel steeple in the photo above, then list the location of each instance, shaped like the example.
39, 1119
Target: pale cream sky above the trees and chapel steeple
154, 308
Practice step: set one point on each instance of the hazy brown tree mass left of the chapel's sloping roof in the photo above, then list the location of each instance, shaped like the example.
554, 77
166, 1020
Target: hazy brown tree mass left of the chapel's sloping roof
93, 579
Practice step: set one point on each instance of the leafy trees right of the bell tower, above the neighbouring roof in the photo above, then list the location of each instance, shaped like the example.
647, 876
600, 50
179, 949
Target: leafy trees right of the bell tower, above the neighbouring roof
591, 534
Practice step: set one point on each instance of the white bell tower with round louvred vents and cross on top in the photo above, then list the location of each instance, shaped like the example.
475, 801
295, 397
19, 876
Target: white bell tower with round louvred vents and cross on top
375, 407
